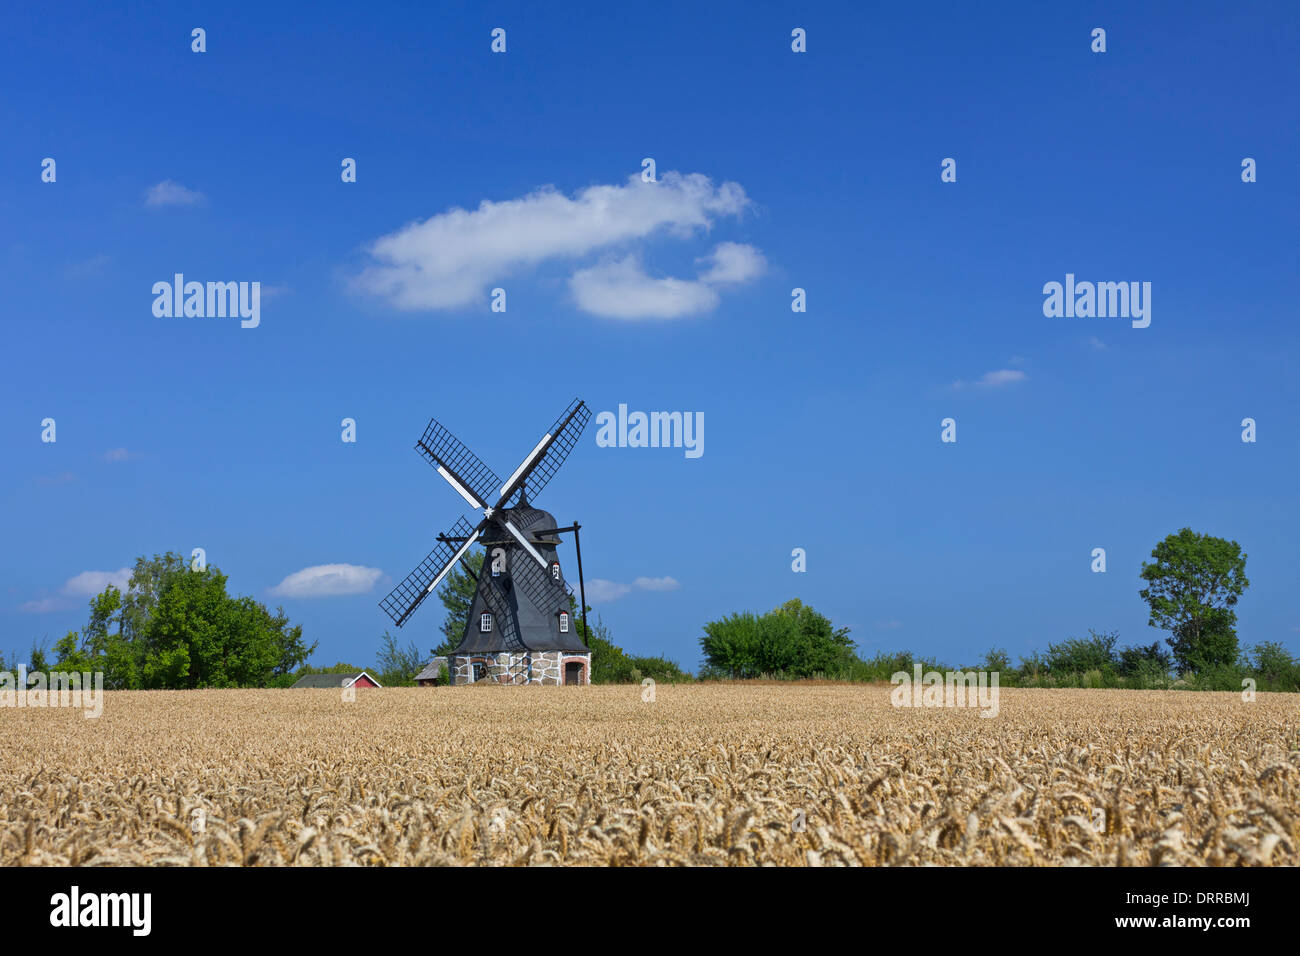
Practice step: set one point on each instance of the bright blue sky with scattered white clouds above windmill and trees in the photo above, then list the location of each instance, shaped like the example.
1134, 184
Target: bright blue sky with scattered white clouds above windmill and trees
822, 429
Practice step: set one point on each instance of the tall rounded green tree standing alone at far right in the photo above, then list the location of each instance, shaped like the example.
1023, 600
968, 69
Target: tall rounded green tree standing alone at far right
1193, 586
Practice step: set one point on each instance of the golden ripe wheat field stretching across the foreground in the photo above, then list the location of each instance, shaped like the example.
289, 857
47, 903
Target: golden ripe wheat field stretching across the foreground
742, 775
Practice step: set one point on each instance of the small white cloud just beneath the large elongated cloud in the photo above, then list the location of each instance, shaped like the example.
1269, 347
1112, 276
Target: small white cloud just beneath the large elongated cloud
623, 291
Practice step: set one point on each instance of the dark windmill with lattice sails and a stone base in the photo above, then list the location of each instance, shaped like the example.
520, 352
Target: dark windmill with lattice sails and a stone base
521, 629
